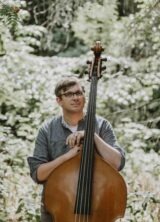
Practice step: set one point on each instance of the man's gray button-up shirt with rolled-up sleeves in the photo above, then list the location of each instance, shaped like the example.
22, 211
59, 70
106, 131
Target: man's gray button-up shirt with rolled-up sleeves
51, 141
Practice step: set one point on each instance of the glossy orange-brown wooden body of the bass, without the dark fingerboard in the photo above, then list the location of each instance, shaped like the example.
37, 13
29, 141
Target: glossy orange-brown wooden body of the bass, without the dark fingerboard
109, 193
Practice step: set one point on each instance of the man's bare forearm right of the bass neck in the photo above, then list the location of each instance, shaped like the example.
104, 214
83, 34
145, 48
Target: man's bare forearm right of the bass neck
108, 153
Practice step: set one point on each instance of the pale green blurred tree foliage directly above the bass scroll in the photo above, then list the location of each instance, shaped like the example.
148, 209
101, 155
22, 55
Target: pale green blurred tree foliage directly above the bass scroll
95, 22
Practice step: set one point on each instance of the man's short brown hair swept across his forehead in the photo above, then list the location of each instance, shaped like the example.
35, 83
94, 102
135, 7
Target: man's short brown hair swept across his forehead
66, 83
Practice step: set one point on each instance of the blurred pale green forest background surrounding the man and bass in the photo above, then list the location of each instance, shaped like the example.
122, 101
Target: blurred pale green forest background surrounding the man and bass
43, 41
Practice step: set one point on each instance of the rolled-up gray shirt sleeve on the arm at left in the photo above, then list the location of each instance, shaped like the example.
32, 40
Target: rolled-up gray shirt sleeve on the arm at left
40, 154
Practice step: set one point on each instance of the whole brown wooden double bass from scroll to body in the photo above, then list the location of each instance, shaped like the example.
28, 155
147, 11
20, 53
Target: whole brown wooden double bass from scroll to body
86, 188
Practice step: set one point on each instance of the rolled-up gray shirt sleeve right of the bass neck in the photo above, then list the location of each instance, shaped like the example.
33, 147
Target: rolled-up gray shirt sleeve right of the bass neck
108, 135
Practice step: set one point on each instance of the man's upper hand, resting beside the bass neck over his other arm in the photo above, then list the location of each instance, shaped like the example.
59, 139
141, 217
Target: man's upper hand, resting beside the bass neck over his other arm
74, 139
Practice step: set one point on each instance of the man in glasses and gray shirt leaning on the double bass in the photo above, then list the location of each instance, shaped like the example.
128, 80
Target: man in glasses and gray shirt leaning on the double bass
59, 138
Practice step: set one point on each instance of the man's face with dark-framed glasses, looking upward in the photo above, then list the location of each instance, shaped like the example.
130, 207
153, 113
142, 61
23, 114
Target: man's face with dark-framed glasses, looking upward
72, 100
